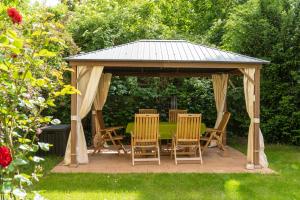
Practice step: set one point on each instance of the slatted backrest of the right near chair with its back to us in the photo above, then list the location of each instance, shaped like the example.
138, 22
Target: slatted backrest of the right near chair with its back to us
188, 127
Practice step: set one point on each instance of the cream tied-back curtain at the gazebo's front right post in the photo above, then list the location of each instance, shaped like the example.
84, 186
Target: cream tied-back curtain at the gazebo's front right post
250, 98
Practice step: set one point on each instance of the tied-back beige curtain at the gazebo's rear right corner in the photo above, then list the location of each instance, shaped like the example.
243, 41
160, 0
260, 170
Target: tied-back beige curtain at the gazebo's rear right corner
220, 92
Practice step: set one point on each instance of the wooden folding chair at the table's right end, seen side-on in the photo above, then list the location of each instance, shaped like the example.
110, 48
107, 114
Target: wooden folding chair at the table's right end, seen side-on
216, 134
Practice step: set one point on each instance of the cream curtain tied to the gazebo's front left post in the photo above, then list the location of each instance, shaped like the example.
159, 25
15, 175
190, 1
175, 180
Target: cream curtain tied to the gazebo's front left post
88, 81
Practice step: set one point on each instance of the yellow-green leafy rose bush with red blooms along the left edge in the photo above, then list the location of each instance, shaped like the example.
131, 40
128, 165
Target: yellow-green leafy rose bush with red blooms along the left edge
31, 78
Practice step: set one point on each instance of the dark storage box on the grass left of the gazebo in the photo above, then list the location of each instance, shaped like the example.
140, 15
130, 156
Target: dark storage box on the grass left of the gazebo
57, 135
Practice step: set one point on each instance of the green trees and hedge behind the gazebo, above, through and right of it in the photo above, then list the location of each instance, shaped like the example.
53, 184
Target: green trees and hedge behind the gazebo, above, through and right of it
266, 29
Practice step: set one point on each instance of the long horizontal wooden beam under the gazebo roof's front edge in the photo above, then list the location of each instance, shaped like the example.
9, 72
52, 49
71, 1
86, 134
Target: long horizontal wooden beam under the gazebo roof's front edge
160, 64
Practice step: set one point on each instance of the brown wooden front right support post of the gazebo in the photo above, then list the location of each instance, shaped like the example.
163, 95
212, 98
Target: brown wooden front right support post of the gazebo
256, 108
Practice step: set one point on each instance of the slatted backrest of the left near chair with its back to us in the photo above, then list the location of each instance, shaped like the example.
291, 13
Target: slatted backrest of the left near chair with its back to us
146, 127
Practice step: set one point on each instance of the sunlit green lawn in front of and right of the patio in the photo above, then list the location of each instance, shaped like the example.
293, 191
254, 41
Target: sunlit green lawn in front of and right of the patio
283, 185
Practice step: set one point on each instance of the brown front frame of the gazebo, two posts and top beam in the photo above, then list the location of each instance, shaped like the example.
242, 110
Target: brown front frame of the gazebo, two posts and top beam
172, 68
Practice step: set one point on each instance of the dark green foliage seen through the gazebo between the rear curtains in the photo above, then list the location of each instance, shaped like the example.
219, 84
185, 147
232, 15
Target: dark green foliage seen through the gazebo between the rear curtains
127, 95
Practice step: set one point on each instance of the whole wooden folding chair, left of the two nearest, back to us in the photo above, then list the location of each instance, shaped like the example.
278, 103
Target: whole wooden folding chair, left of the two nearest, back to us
144, 138
